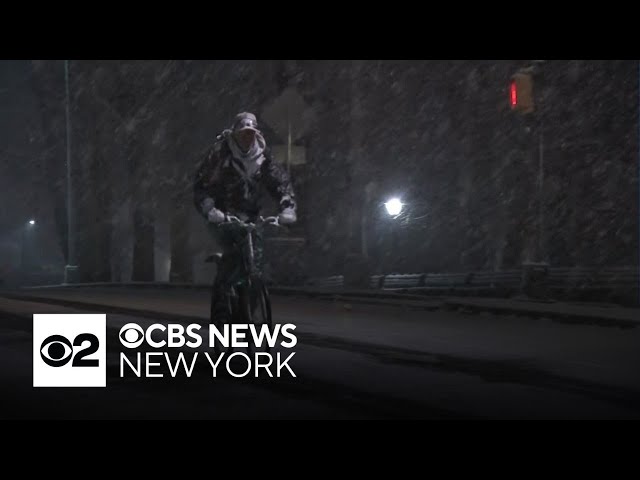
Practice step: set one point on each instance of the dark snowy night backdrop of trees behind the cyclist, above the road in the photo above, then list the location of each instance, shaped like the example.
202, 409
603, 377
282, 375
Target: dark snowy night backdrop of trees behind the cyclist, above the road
438, 134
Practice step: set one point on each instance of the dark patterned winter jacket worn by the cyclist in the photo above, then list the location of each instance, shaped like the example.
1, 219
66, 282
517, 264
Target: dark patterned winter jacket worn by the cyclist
235, 190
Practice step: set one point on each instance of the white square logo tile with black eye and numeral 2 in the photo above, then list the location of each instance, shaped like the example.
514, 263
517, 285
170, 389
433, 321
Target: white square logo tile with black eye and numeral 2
69, 350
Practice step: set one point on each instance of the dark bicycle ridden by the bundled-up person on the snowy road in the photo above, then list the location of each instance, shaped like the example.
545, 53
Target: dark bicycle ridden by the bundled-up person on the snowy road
246, 290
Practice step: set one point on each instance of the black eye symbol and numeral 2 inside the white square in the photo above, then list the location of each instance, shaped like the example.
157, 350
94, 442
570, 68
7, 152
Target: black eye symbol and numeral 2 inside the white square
57, 350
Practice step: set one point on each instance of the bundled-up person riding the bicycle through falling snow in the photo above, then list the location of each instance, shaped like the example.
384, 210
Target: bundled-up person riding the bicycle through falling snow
230, 180
